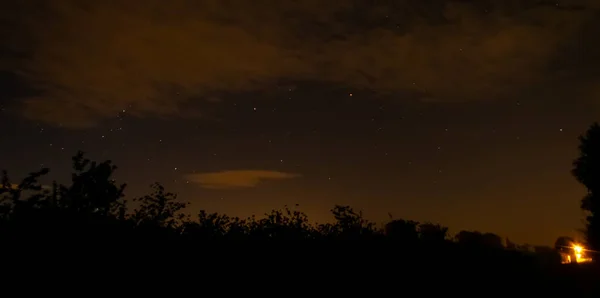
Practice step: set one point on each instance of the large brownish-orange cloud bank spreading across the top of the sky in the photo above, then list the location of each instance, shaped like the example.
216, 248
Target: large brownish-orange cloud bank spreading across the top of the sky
91, 60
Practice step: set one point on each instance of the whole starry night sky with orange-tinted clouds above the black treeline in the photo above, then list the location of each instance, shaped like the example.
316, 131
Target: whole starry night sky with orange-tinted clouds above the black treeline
464, 112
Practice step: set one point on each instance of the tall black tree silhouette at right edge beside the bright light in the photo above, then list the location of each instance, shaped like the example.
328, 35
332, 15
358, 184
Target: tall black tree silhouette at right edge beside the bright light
586, 169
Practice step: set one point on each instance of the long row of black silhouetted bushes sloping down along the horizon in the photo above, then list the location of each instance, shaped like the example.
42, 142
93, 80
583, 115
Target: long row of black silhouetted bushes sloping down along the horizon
94, 202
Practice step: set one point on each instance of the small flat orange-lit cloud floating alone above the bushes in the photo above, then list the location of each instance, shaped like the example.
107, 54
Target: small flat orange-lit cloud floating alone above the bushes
237, 178
